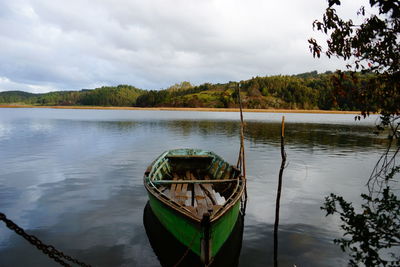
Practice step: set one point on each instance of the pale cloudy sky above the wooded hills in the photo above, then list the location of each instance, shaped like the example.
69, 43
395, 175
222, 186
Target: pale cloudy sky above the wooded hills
48, 45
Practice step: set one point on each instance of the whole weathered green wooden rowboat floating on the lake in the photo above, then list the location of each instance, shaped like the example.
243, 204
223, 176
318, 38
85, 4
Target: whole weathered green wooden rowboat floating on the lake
197, 196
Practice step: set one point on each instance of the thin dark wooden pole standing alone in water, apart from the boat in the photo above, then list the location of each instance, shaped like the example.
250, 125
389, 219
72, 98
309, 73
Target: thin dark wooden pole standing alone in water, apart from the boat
278, 194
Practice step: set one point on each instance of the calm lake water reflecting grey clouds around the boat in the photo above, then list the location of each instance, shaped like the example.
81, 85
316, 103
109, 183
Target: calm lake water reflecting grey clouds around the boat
74, 179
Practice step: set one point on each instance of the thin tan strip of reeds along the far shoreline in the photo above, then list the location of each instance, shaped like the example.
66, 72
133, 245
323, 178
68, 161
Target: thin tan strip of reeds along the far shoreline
314, 111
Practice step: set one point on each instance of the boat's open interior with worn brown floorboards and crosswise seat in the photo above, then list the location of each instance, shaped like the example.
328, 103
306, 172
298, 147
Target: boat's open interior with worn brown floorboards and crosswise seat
197, 183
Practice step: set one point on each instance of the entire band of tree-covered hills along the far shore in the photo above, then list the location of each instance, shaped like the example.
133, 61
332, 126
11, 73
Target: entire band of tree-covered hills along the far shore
309, 90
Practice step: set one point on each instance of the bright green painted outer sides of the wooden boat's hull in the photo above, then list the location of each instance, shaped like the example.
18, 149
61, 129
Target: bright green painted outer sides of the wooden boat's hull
189, 232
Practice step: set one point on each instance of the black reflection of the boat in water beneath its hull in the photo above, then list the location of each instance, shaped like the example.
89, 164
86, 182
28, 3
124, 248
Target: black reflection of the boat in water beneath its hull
170, 251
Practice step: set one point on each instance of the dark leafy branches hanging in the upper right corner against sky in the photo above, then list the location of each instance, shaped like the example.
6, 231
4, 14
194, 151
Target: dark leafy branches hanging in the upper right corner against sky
373, 46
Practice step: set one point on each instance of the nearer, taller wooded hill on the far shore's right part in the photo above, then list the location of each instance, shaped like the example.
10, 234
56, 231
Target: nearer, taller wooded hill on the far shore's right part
304, 91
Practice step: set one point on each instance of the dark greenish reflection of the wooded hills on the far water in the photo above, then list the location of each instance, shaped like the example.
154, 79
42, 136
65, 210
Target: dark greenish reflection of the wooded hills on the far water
302, 136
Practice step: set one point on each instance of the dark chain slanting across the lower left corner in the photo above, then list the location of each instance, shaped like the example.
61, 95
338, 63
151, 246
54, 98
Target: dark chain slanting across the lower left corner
49, 250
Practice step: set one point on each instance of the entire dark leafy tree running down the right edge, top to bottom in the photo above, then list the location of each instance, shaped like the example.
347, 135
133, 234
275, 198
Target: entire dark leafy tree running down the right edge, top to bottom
371, 234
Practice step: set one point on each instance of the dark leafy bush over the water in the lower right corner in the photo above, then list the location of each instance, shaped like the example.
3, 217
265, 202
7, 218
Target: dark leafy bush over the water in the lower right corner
372, 230
